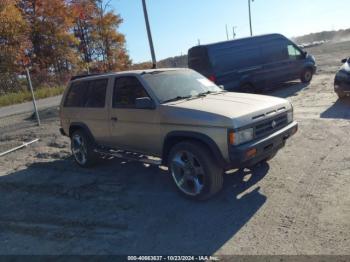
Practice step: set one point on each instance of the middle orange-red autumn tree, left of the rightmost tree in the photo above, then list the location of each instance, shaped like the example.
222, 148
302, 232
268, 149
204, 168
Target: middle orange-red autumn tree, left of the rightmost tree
50, 24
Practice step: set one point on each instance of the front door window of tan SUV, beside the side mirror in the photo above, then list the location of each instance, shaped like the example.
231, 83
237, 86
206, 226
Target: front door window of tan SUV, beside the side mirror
126, 90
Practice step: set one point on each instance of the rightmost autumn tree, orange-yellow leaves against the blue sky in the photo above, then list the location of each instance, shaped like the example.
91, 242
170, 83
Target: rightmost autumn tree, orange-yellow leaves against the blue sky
101, 45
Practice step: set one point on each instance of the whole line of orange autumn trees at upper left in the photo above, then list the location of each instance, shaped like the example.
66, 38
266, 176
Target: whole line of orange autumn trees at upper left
57, 38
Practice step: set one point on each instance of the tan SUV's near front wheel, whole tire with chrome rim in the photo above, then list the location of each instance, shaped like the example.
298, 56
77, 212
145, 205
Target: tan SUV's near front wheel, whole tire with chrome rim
194, 170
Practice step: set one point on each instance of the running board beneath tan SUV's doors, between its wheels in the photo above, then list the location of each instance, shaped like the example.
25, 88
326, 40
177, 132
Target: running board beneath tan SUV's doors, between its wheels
131, 156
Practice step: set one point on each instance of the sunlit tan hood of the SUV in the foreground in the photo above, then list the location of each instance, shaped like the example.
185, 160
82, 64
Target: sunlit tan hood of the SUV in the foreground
224, 109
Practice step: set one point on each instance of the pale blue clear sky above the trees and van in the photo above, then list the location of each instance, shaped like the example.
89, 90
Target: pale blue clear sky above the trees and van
177, 25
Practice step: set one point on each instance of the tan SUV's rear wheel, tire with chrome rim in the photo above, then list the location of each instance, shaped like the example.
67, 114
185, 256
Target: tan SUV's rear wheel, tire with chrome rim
83, 149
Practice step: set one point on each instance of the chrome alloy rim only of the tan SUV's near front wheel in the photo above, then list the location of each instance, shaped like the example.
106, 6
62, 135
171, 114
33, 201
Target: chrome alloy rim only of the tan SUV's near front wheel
188, 173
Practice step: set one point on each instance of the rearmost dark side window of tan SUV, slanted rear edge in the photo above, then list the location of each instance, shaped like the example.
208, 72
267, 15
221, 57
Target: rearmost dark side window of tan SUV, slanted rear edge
77, 94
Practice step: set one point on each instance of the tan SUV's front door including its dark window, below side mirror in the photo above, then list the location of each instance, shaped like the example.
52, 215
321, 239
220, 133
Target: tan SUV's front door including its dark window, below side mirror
131, 128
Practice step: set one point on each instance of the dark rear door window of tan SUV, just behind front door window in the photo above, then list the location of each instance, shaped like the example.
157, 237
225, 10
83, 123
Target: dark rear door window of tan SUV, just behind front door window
97, 93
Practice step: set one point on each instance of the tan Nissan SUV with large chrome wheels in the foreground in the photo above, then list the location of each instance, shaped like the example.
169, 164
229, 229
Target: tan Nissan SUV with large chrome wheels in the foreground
176, 118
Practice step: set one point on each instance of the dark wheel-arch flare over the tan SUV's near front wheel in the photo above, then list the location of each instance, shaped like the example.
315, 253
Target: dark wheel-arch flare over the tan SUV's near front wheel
176, 136
